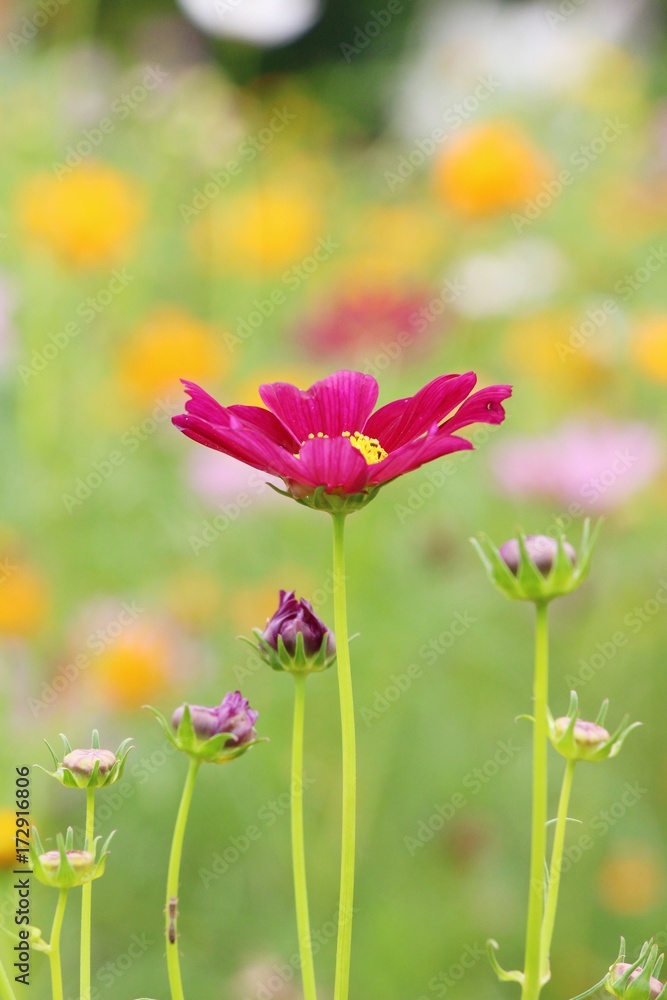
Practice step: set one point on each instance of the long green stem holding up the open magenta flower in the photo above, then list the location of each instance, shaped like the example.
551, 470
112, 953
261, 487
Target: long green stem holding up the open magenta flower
344, 945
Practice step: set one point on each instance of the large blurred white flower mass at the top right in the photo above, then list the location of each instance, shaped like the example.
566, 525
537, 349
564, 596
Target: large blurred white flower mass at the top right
526, 47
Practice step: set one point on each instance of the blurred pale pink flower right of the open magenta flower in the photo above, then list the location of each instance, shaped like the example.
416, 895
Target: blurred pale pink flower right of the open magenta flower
599, 466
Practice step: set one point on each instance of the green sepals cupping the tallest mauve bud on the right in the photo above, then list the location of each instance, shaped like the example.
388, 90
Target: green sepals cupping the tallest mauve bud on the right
529, 583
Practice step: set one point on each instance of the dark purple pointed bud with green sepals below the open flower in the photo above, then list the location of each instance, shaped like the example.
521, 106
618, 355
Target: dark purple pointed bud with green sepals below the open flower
295, 639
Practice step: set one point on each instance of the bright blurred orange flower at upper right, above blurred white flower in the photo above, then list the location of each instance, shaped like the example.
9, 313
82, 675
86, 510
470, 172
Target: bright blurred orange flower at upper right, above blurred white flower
490, 168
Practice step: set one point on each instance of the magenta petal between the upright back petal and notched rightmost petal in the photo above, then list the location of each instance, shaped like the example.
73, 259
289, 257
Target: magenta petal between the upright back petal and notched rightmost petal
393, 427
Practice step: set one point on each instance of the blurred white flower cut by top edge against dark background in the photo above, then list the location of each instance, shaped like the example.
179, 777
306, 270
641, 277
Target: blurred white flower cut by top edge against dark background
260, 22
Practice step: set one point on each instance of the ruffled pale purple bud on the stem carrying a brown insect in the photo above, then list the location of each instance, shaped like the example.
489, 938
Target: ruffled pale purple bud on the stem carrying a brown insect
214, 734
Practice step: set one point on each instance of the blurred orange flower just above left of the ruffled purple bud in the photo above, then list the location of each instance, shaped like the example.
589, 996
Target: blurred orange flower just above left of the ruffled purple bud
136, 667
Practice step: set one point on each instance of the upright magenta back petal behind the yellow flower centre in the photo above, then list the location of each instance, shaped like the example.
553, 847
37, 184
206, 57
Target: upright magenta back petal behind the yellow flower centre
341, 402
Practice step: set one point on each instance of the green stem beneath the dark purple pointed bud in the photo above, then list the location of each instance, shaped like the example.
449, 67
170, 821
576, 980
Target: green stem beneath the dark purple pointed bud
298, 852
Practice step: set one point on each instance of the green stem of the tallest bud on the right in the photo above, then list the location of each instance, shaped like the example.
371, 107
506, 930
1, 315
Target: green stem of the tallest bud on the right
532, 983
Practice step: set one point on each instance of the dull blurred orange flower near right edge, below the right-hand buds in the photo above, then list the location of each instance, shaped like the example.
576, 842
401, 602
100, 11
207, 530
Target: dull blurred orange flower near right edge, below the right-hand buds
631, 881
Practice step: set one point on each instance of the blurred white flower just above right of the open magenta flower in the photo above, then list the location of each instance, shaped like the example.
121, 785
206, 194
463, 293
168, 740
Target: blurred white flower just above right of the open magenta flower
522, 273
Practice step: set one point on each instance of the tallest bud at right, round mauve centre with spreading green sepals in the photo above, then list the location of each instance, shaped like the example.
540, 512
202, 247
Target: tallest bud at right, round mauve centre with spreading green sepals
536, 567
